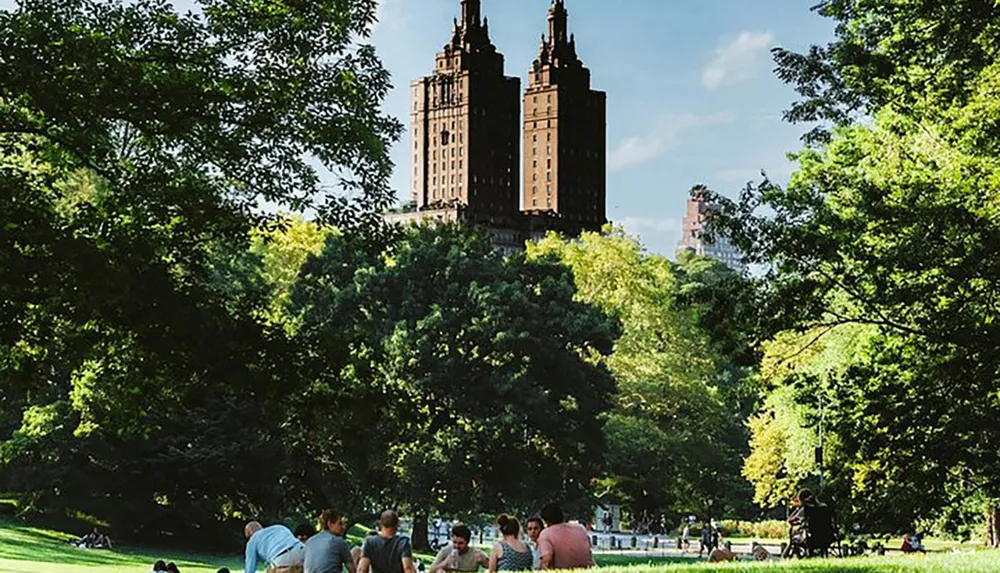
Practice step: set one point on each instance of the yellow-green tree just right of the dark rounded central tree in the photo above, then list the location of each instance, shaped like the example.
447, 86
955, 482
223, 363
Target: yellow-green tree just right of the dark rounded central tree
674, 441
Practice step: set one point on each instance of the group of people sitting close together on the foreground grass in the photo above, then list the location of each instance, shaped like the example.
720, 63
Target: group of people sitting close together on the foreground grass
551, 543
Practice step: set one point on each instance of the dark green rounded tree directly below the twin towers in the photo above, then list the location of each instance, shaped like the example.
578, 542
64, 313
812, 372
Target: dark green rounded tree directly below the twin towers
475, 381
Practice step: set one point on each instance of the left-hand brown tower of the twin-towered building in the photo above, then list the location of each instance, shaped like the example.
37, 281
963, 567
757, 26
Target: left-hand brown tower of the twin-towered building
464, 124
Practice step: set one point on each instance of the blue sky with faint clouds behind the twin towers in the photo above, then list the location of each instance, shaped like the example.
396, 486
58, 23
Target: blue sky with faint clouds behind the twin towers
692, 97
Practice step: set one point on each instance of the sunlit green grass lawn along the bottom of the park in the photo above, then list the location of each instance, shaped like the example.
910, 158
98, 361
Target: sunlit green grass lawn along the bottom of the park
26, 549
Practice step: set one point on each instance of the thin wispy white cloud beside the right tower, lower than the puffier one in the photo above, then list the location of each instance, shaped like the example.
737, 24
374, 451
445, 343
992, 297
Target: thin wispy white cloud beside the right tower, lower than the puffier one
664, 136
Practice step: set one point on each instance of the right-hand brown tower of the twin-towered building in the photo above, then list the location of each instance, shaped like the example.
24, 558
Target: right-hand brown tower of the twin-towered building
565, 125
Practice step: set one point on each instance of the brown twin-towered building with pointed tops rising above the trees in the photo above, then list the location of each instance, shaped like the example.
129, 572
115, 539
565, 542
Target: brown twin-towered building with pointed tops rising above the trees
465, 128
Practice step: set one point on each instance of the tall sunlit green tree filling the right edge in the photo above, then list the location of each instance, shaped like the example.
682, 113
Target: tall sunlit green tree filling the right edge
892, 224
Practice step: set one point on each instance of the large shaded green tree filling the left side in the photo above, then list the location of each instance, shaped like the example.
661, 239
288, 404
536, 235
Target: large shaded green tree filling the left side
136, 145
